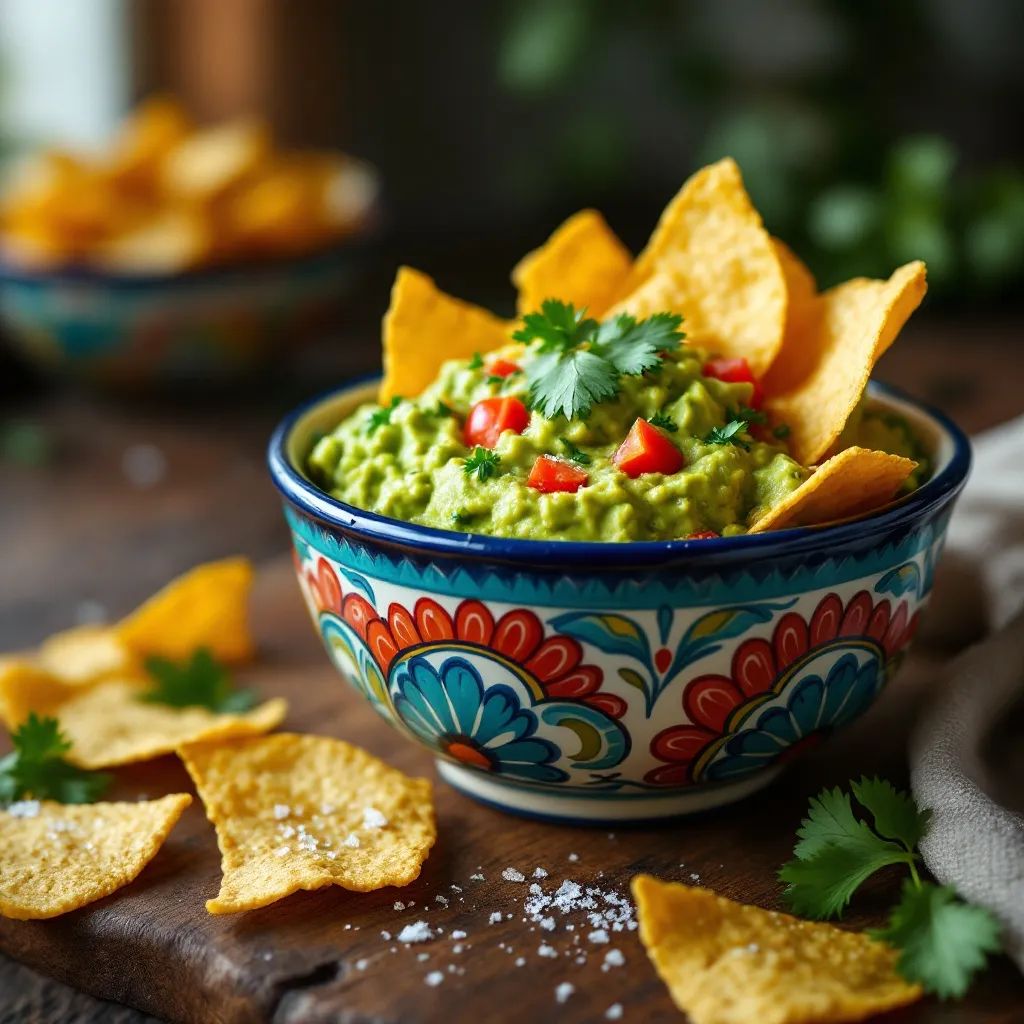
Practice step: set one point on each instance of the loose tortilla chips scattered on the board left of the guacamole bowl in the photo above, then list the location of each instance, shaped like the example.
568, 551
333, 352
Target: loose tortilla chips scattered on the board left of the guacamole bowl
292, 813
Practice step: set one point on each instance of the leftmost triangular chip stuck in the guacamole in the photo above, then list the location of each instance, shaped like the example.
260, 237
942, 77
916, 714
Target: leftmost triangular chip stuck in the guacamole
424, 328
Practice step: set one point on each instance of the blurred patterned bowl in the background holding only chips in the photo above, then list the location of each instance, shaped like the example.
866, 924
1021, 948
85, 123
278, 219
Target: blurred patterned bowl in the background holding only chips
190, 328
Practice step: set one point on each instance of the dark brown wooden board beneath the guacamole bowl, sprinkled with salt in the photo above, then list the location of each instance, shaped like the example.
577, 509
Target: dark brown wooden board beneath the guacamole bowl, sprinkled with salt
319, 958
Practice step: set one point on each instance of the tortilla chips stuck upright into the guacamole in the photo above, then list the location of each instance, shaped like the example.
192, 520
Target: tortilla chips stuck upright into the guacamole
742, 293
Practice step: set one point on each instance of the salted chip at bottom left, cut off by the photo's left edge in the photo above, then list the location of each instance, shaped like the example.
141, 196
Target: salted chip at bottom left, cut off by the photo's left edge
58, 858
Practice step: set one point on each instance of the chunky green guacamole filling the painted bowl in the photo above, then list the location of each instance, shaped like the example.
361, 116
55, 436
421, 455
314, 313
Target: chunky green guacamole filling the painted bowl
412, 460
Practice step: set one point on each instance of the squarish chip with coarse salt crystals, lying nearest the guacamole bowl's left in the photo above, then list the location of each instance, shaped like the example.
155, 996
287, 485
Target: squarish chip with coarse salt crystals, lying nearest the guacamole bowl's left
297, 813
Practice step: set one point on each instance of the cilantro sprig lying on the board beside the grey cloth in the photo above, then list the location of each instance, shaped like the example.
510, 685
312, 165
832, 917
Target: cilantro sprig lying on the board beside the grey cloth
942, 941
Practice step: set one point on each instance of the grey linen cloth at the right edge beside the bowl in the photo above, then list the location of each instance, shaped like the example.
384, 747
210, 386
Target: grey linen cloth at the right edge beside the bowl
967, 751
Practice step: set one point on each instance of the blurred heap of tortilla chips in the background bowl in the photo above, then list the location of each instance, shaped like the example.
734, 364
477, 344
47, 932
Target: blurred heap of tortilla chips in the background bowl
168, 196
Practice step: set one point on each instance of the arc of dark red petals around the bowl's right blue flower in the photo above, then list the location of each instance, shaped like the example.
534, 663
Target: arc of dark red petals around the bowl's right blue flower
710, 702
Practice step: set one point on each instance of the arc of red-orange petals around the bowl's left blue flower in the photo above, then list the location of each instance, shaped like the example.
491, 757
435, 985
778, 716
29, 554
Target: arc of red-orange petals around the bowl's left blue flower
557, 663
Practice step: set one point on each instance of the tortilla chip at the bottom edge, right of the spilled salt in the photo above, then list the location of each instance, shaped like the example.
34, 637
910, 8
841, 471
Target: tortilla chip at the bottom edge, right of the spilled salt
726, 963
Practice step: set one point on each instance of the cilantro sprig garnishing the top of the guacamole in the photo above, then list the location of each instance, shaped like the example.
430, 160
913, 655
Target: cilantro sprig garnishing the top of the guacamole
582, 362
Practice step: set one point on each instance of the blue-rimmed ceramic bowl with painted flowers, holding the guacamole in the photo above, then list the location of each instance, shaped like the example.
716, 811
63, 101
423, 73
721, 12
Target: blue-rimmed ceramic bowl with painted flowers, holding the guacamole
611, 682
